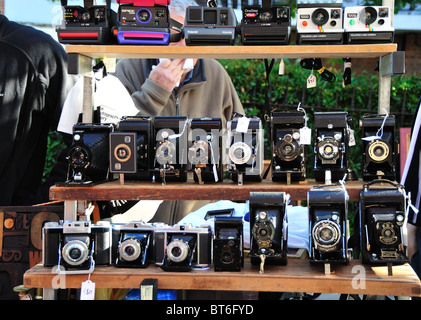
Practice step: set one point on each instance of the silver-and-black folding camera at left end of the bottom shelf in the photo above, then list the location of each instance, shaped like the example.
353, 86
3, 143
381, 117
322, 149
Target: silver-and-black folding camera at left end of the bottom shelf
76, 246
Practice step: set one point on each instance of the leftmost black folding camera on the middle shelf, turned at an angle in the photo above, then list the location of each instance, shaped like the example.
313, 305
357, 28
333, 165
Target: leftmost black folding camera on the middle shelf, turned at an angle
88, 155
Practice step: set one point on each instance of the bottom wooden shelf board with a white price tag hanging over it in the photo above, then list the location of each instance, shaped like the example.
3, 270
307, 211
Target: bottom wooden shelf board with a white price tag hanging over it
298, 276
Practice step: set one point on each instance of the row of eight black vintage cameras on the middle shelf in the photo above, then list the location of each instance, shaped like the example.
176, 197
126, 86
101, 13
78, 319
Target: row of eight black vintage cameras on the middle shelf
169, 148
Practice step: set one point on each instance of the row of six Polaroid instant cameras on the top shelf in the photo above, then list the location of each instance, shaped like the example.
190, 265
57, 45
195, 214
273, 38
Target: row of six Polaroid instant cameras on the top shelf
147, 22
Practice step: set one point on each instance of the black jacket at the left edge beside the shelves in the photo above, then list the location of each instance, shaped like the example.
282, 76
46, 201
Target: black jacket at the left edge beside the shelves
33, 75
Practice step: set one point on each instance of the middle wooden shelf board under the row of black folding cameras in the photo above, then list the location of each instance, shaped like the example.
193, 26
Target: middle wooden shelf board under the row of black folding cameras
226, 190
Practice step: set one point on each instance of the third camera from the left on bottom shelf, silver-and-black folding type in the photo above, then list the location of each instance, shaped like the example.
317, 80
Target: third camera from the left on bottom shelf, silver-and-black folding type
182, 247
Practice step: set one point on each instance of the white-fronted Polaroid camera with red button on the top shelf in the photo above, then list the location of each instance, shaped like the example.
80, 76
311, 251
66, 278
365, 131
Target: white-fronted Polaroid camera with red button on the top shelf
319, 22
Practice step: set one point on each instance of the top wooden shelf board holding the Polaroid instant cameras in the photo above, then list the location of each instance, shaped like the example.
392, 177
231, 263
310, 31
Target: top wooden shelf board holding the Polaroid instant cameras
234, 52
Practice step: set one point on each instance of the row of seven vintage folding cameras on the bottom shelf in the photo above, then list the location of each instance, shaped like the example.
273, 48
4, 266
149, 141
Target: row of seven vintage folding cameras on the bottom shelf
78, 246
